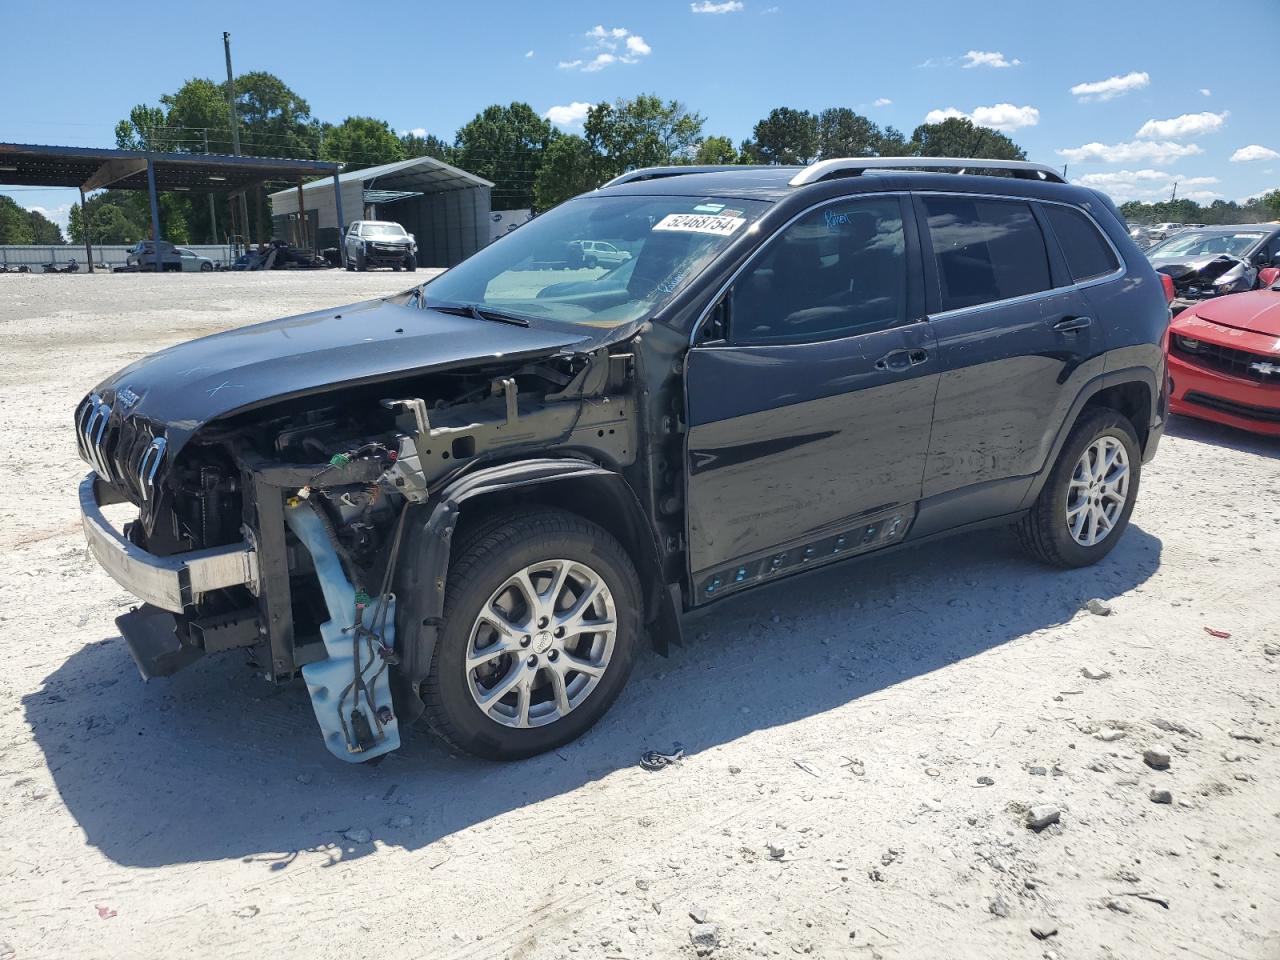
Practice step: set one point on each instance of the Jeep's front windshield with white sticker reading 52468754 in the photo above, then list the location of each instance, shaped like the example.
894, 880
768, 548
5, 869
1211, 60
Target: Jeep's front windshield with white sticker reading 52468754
601, 262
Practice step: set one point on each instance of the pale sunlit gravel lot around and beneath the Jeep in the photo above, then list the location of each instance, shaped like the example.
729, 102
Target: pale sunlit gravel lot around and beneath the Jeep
862, 744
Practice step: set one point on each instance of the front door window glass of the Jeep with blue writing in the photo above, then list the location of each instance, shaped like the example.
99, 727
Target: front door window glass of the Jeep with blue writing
836, 272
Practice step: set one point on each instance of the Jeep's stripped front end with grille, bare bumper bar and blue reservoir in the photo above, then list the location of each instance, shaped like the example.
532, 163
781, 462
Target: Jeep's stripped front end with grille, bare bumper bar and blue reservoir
314, 532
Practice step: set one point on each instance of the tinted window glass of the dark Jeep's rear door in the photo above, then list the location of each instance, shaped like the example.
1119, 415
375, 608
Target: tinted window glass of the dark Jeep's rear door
986, 250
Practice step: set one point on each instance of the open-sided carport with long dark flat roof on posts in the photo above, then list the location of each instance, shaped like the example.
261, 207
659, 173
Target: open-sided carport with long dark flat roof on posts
89, 170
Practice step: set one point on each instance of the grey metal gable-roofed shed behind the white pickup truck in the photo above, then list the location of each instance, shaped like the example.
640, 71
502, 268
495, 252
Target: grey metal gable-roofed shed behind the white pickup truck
445, 208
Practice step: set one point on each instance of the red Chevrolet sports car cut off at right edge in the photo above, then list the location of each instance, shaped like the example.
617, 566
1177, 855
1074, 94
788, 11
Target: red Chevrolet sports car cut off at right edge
1224, 360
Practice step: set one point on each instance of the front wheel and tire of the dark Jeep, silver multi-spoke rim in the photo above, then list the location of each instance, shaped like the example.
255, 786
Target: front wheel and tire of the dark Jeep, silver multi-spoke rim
542, 615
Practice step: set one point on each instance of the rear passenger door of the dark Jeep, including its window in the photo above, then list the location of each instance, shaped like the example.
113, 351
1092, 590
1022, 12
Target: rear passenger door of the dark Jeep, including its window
1017, 341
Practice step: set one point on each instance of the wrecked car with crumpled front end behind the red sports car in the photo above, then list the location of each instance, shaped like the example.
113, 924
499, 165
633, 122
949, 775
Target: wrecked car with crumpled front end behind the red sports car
1213, 262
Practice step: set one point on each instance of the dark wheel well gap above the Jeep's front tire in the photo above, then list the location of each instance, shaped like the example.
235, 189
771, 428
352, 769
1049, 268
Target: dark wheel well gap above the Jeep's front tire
602, 501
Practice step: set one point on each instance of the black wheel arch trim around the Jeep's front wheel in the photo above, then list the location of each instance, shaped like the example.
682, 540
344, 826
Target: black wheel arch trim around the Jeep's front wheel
423, 569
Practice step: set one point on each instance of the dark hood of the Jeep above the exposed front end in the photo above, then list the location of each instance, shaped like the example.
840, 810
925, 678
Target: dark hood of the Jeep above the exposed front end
191, 385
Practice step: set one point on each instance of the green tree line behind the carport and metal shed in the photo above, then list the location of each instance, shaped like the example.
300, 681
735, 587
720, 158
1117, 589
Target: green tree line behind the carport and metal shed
531, 163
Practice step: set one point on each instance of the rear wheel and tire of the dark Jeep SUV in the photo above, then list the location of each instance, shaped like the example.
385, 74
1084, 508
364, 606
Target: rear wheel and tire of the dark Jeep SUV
1085, 506
